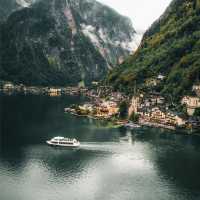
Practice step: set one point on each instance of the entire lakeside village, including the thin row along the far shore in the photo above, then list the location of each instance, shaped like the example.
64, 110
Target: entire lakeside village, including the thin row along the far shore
150, 109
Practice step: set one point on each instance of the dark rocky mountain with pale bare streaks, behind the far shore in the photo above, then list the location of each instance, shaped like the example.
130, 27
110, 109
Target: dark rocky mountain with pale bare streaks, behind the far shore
59, 42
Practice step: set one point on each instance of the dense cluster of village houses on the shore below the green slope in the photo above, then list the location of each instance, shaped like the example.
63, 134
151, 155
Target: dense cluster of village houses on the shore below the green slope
142, 109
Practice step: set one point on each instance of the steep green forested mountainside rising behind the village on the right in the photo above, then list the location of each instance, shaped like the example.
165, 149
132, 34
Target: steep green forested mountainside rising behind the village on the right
170, 49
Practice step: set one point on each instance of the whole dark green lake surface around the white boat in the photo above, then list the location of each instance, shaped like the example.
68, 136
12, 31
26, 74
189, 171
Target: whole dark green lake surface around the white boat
111, 164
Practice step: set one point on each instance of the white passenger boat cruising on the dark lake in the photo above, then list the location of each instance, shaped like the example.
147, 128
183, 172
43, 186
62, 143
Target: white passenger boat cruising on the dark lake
63, 142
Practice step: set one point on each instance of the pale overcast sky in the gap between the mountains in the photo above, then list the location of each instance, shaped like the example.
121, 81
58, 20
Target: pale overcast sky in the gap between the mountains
142, 12
